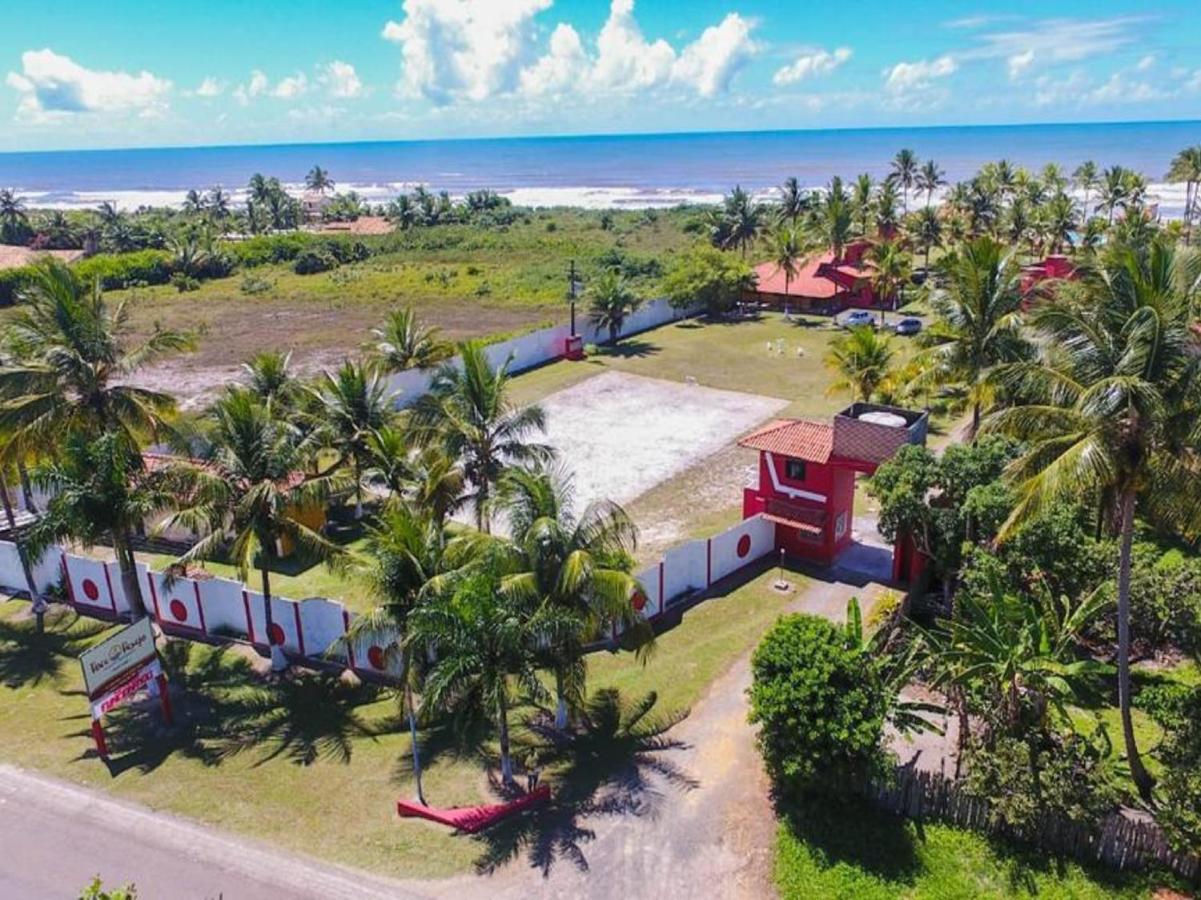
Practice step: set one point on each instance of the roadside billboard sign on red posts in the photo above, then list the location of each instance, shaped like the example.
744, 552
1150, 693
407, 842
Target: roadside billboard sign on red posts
118, 669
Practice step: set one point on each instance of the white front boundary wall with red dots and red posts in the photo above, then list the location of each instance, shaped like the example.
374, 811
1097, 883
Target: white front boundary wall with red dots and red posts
217, 609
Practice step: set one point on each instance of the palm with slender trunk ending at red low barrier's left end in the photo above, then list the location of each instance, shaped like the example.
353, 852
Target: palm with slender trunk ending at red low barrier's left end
405, 569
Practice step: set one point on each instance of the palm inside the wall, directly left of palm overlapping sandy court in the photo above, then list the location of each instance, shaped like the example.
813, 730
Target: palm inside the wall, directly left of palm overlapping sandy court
350, 406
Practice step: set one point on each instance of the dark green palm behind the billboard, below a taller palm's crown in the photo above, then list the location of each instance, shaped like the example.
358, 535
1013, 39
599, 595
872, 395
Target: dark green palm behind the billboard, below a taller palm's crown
100, 491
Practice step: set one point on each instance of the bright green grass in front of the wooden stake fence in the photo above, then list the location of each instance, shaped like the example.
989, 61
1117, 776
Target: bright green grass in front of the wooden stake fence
857, 854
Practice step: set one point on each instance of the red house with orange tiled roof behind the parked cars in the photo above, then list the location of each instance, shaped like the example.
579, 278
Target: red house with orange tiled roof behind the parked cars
822, 285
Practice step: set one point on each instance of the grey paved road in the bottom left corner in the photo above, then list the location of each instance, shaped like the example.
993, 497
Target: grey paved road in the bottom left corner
56, 838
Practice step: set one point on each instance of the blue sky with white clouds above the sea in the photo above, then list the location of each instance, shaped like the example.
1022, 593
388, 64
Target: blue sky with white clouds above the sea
164, 73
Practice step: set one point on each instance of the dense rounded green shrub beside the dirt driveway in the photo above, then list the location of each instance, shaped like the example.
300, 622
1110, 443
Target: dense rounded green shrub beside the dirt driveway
821, 706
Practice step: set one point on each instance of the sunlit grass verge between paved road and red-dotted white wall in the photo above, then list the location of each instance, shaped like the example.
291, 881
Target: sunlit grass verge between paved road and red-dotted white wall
319, 766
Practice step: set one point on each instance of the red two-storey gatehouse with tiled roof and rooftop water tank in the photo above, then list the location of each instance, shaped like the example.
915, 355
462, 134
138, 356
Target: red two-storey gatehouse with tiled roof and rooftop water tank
808, 475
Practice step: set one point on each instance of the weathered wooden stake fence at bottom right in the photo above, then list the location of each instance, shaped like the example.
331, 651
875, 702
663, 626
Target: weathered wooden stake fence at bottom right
1121, 842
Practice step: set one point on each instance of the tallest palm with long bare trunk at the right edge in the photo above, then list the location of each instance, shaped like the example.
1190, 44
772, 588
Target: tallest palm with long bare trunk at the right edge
1110, 408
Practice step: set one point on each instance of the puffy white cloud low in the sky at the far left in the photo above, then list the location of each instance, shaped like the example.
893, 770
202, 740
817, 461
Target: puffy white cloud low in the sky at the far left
52, 86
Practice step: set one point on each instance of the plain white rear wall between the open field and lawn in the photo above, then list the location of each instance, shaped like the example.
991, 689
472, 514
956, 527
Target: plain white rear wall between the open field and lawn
539, 348
